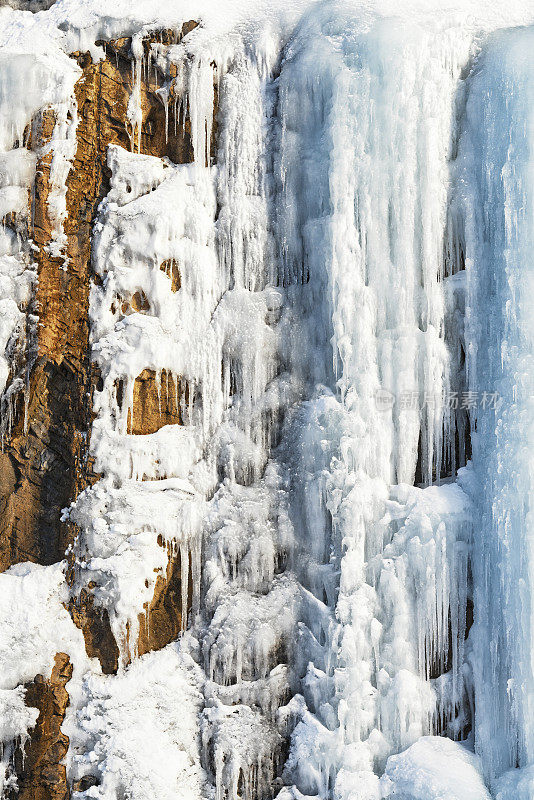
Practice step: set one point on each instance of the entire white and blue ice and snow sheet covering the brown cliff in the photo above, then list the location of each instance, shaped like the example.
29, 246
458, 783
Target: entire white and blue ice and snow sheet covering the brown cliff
352, 323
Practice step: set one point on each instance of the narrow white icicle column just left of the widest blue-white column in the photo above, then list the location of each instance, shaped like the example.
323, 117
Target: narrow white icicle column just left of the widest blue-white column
251, 601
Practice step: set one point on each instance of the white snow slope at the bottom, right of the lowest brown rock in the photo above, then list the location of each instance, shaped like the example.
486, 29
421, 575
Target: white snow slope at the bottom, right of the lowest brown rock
137, 733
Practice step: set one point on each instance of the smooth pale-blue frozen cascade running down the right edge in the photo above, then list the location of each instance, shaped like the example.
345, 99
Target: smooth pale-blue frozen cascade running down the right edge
498, 193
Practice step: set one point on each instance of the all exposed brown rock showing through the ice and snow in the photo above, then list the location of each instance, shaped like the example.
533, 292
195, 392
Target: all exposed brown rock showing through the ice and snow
45, 463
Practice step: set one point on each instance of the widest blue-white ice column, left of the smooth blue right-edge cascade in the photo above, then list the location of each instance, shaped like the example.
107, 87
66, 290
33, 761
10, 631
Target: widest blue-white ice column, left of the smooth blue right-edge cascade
366, 114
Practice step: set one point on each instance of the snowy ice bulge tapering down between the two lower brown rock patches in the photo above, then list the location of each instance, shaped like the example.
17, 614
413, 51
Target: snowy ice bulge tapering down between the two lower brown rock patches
130, 534
